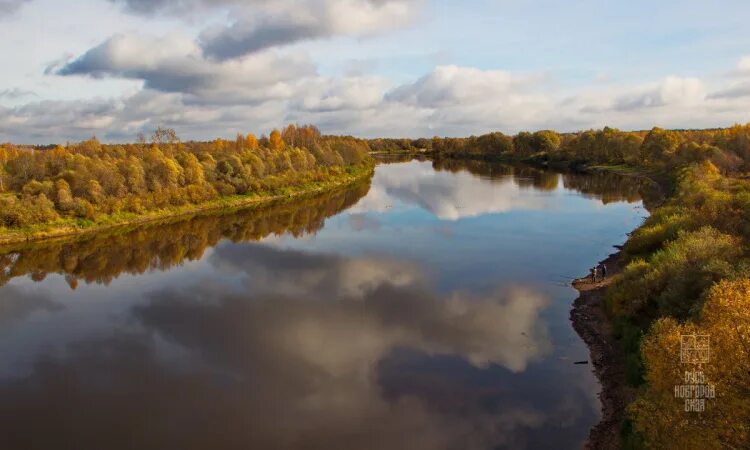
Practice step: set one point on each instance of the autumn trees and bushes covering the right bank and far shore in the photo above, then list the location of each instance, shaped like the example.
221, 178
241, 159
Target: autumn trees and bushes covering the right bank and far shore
684, 271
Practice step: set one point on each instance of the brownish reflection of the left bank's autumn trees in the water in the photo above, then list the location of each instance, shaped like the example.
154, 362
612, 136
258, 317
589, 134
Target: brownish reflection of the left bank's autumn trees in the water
162, 246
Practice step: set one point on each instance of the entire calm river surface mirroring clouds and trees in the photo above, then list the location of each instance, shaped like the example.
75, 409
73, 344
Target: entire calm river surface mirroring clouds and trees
428, 310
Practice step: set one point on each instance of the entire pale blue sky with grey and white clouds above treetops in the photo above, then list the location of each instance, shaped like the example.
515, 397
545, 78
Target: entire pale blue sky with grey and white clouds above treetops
368, 68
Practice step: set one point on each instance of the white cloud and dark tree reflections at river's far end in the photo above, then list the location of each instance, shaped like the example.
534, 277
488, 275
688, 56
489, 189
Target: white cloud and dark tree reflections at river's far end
450, 190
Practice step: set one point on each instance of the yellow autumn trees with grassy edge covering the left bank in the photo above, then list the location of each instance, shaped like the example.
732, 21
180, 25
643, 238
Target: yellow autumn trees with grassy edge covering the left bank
88, 187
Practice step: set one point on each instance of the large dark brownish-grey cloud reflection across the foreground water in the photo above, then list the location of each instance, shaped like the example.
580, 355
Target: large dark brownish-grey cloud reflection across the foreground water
255, 365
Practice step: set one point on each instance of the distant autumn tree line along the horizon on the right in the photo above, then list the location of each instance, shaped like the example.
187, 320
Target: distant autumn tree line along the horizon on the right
727, 148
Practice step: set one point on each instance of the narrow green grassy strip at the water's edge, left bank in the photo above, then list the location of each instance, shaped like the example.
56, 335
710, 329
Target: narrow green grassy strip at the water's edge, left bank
73, 228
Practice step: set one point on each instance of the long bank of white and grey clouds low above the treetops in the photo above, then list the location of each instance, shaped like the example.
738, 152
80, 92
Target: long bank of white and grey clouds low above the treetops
203, 98
